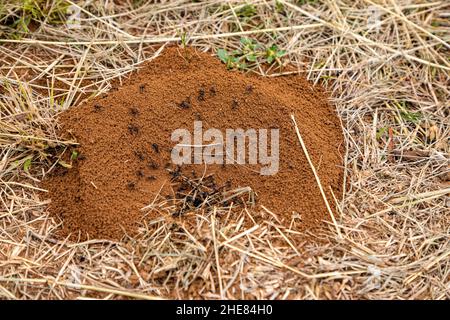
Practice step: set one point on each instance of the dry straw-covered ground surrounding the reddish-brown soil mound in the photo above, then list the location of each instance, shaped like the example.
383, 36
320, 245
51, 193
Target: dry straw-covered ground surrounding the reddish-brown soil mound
386, 67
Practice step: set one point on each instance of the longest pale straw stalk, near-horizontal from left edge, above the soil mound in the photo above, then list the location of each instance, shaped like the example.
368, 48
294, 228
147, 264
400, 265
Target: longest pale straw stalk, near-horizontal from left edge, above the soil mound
163, 39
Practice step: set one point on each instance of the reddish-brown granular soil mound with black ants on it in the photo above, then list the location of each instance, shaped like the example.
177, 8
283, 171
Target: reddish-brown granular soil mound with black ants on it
124, 153
